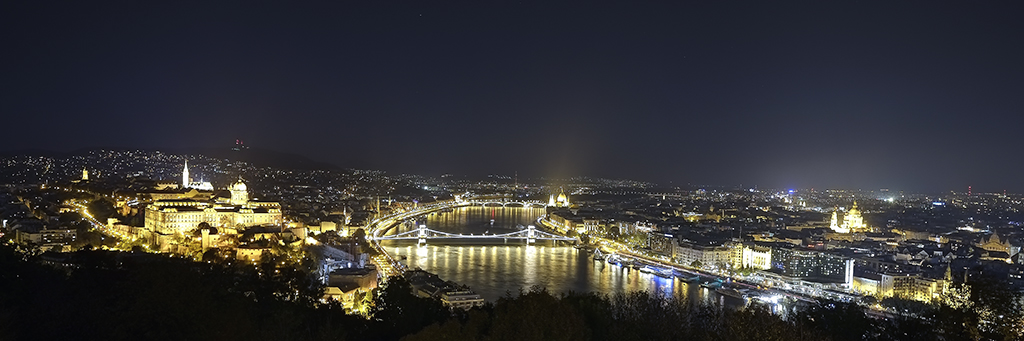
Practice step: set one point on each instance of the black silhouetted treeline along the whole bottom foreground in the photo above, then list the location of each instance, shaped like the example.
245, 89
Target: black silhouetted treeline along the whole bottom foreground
125, 296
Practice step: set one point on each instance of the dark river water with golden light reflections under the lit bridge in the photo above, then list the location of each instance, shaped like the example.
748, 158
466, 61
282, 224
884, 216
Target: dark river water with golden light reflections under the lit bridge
494, 269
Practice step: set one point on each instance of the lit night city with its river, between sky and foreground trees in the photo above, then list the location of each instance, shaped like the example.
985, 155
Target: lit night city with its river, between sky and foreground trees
350, 239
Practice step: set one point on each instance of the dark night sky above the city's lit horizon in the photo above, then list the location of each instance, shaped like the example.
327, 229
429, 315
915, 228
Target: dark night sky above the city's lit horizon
917, 96
